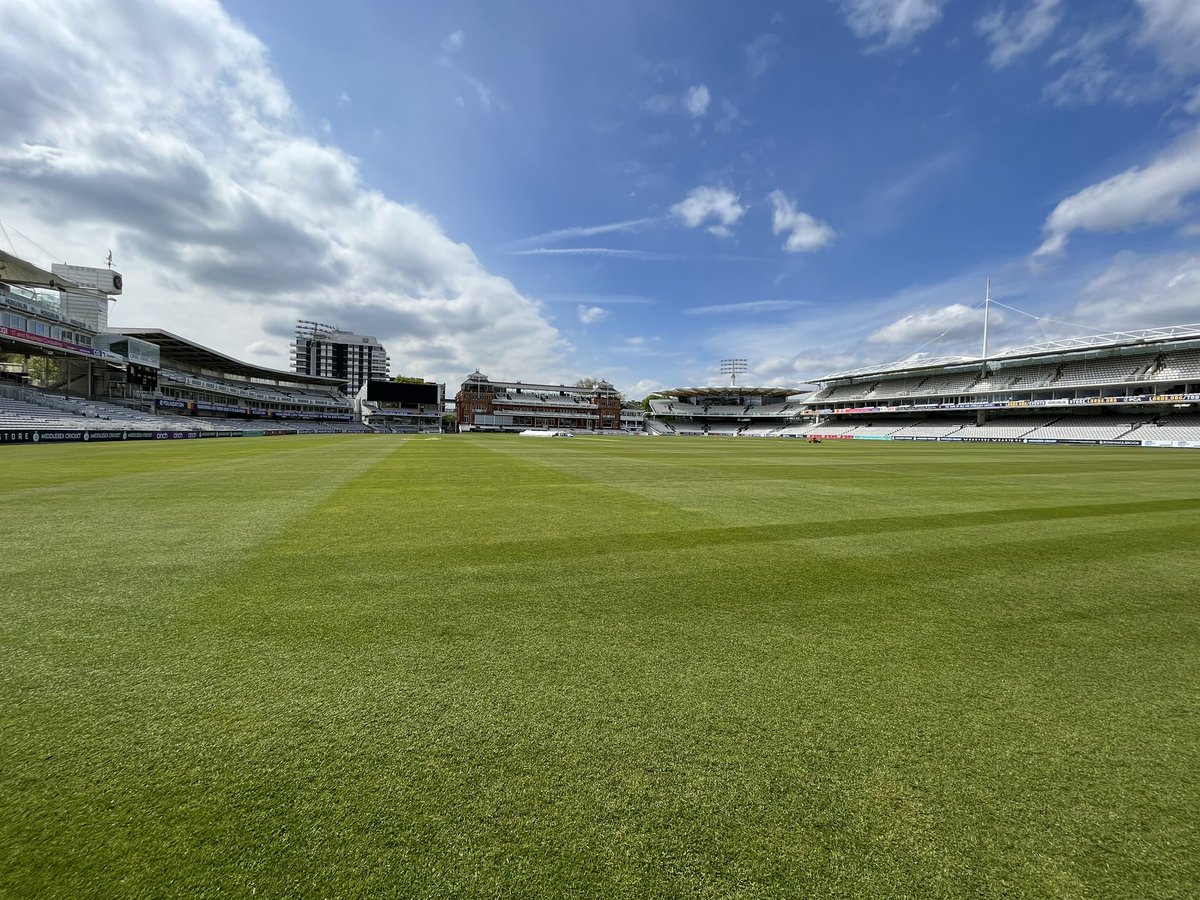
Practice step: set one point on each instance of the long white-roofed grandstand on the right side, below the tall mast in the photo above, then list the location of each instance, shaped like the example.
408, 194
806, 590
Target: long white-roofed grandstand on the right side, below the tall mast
1127, 388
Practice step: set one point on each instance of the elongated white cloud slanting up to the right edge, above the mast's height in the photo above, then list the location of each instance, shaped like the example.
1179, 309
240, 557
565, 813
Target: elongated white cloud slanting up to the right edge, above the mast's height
1139, 196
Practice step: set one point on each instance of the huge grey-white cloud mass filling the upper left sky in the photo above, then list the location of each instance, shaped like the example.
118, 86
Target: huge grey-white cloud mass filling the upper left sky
201, 175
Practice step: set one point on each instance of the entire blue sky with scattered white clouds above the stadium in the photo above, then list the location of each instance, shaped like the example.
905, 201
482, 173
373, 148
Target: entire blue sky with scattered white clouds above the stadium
628, 190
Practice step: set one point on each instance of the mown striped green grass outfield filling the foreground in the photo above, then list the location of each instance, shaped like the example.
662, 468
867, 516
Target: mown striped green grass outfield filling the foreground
493, 667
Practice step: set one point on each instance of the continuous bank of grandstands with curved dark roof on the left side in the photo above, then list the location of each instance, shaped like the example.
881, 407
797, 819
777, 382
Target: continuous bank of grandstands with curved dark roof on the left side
62, 368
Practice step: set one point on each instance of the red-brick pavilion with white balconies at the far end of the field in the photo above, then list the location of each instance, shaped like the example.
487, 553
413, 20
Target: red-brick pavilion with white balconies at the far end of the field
484, 405
